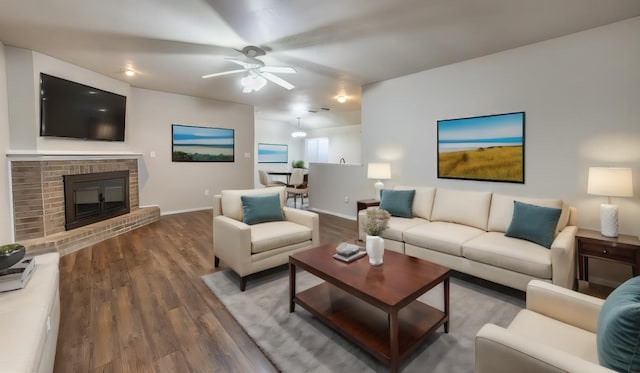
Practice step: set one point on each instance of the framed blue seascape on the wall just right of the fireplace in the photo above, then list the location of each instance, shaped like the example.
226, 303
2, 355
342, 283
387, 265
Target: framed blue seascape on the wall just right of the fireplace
202, 144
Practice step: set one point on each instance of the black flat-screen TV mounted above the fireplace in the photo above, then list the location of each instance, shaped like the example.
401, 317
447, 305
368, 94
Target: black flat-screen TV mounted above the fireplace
70, 109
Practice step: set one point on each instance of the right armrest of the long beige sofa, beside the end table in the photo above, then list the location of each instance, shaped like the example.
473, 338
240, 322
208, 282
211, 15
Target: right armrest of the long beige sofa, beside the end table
563, 258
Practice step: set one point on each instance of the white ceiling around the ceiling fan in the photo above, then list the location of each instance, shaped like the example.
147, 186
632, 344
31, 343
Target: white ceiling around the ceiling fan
336, 46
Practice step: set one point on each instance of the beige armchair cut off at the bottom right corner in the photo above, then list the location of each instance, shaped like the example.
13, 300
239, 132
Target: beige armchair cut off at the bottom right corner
555, 333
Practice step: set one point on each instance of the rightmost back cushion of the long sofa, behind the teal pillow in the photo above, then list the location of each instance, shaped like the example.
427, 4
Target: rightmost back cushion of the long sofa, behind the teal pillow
502, 210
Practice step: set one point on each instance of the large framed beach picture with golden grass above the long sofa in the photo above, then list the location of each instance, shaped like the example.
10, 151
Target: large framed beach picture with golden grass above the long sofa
488, 148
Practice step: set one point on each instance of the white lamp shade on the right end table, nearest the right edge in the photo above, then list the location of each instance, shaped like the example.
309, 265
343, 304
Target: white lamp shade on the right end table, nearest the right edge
610, 182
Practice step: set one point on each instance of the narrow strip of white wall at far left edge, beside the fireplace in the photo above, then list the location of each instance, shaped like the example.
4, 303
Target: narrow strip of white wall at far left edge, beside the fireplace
6, 227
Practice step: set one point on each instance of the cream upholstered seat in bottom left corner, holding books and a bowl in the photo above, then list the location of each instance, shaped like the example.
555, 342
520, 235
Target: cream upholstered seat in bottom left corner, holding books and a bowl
29, 320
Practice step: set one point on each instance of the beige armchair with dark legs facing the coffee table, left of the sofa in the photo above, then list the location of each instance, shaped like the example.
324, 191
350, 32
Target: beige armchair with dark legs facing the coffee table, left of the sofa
248, 249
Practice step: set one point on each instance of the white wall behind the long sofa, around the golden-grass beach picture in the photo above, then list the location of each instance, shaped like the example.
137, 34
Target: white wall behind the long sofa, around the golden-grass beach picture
581, 95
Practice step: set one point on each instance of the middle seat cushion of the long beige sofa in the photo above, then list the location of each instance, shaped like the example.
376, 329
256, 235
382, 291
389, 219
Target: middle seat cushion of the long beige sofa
441, 236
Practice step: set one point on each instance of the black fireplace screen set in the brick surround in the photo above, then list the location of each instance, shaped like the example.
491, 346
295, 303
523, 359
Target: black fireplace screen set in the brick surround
90, 198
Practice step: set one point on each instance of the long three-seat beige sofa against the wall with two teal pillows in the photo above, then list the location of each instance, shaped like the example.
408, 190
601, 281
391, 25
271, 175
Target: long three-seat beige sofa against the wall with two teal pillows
464, 230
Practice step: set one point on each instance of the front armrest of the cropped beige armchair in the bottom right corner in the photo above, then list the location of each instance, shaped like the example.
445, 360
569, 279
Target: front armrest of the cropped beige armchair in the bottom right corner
500, 351
